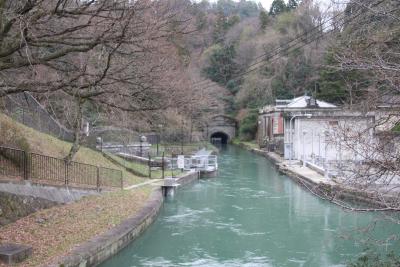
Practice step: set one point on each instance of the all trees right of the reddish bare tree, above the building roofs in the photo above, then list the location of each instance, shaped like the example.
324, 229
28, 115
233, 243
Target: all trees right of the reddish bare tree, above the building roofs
294, 48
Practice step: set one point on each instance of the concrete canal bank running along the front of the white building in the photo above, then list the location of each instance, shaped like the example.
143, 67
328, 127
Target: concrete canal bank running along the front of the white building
326, 188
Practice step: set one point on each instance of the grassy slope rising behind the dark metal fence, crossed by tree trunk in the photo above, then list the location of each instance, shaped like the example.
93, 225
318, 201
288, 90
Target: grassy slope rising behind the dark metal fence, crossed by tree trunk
48, 145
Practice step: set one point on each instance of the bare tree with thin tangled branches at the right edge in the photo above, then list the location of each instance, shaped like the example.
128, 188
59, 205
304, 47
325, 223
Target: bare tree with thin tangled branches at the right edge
368, 44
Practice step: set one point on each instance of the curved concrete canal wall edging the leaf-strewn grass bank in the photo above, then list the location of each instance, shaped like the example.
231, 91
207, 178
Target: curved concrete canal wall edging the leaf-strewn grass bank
102, 247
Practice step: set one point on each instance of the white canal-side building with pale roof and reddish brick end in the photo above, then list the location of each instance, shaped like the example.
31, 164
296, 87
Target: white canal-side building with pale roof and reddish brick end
314, 131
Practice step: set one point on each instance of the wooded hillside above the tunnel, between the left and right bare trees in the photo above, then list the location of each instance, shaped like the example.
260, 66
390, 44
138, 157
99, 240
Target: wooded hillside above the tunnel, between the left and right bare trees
235, 48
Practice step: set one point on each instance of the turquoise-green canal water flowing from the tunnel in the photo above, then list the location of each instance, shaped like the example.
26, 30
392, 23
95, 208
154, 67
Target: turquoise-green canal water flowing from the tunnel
251, 216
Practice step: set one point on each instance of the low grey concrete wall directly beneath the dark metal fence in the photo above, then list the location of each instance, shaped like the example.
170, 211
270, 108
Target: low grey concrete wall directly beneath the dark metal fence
51, 193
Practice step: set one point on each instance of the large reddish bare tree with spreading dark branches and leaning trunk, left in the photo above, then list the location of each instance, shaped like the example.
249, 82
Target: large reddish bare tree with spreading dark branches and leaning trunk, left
116, 54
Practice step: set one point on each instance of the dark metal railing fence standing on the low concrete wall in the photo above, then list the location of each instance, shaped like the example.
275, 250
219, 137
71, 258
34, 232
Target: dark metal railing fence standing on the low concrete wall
37, 167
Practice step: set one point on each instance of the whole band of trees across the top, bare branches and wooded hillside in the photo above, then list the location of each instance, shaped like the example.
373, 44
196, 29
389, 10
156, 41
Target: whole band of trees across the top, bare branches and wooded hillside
175, 63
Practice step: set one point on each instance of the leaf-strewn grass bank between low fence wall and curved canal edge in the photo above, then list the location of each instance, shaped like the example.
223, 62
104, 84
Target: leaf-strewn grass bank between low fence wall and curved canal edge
55, 231
